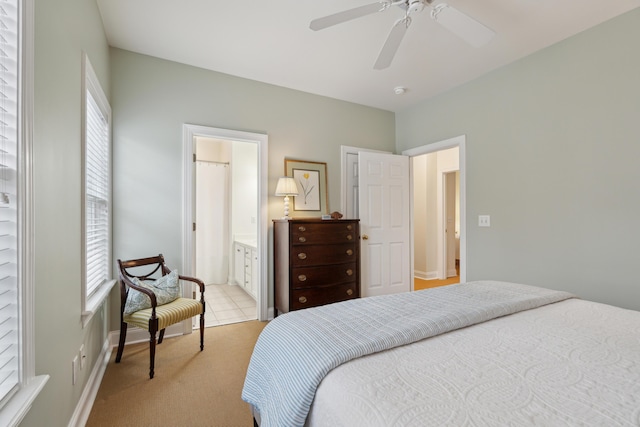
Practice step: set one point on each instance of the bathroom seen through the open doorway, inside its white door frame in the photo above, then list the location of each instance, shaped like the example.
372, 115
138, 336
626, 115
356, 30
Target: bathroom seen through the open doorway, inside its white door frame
226, 207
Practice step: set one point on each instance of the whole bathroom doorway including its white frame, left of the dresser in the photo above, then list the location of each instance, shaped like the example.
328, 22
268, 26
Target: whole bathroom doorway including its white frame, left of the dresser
225, 211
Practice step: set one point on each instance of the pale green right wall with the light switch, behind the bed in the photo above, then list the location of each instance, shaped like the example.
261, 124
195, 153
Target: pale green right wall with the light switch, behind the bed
552, 149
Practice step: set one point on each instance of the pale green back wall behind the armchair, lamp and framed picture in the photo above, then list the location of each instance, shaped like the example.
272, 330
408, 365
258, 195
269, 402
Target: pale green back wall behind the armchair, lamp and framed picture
152, 99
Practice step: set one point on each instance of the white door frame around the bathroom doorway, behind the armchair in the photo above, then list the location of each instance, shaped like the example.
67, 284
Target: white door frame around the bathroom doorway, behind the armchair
188, 201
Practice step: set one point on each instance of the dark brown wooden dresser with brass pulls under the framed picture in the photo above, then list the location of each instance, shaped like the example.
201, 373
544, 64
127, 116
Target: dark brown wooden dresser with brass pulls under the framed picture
316, 262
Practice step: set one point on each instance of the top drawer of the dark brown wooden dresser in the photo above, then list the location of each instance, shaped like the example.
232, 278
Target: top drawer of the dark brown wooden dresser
321, 233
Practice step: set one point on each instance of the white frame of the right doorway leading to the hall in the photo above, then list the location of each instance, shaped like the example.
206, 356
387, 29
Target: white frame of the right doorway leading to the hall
460, 142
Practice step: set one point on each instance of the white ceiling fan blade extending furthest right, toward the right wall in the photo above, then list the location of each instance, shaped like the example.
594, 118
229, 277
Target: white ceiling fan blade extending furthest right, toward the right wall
465, 27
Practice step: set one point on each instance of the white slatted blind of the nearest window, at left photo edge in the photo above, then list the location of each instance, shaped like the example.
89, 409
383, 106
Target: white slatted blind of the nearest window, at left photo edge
9, 282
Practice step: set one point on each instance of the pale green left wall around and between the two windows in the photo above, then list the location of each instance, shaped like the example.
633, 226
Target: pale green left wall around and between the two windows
63, 30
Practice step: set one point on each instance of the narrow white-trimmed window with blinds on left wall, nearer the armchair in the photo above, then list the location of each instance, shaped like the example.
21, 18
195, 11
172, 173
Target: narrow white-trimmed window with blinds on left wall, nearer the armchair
97, 193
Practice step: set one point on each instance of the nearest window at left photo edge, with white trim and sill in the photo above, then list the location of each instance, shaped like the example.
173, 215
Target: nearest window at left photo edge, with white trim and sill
18, 383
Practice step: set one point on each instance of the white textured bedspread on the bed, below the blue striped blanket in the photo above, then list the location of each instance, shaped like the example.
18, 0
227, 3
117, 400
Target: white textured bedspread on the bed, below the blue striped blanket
572, 363
